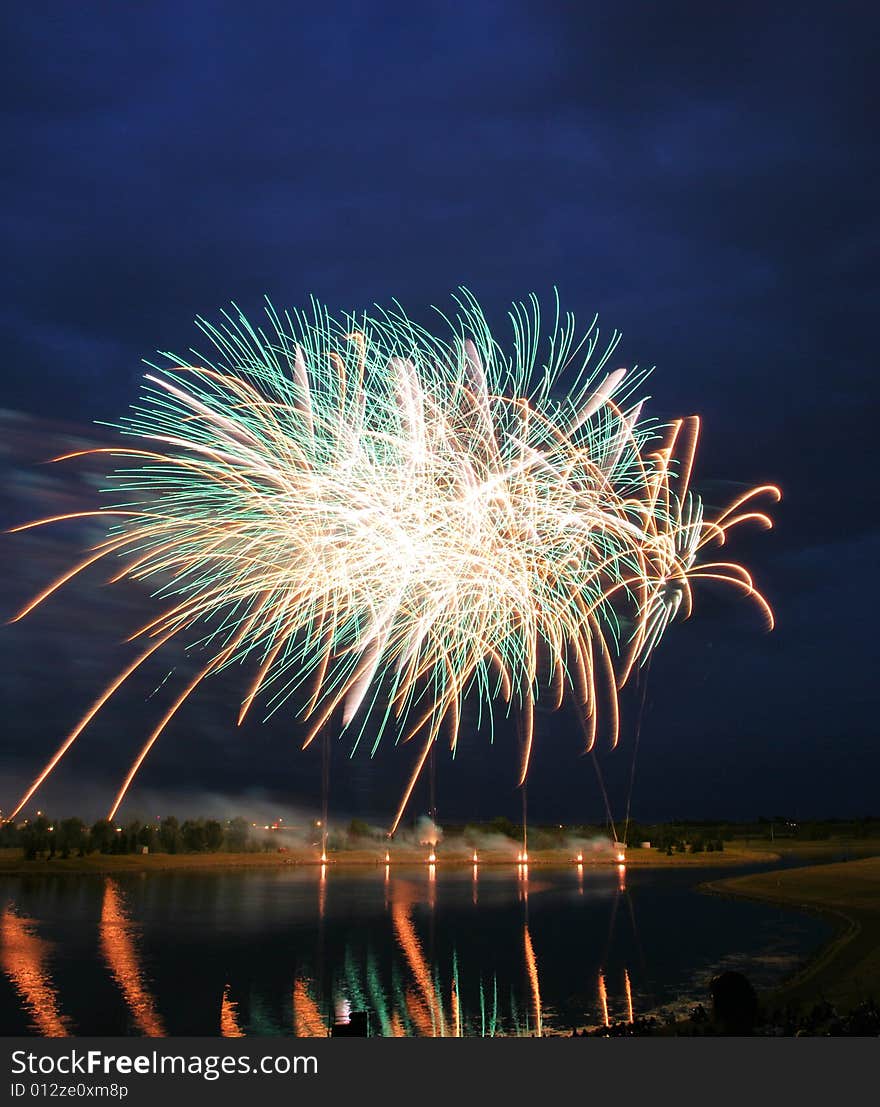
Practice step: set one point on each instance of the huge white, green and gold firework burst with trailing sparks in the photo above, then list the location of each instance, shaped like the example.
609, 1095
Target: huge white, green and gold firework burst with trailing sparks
384, 524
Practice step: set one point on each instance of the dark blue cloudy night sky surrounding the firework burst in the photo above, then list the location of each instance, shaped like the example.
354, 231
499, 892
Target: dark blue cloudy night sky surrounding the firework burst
705, 177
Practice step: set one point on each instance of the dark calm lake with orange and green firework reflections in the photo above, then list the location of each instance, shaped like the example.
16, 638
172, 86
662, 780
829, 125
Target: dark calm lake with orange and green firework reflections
292, 951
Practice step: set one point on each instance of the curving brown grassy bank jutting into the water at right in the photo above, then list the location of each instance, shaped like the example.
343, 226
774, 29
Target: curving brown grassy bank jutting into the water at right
847, 970
